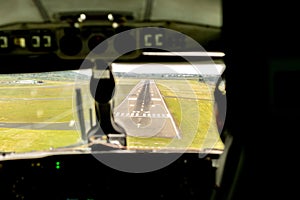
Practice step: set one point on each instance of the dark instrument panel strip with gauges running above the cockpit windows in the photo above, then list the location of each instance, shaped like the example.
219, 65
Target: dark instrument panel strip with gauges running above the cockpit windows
75, 40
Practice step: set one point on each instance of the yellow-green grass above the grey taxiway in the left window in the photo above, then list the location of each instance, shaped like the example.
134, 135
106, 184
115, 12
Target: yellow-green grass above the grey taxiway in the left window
38, 104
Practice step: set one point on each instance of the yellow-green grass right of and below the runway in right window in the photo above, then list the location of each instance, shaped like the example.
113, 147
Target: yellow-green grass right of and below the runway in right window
191, 105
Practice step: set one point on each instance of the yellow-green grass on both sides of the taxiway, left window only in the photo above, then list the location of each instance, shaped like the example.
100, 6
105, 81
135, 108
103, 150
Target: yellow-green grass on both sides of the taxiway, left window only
51, 102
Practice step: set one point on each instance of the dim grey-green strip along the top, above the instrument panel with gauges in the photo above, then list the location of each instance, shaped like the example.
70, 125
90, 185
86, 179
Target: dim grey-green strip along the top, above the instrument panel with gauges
204, 12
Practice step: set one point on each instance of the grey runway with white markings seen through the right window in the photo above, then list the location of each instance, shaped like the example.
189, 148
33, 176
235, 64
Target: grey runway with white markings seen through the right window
143, 113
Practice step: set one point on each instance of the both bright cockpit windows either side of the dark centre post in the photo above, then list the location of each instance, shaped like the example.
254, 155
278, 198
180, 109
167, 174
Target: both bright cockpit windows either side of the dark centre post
157, 105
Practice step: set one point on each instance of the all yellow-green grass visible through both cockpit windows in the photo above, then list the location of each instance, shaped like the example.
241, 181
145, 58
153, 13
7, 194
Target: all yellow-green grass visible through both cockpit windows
189, 101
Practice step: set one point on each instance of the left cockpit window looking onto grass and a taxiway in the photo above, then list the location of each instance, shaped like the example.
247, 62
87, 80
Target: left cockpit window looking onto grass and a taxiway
37, 110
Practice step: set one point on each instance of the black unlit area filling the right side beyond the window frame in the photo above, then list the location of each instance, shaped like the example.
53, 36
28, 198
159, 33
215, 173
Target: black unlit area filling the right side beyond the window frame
261, 46
